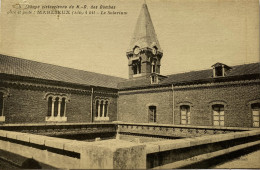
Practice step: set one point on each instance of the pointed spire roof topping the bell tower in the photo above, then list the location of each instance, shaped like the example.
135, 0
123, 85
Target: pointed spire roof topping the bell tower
144, 33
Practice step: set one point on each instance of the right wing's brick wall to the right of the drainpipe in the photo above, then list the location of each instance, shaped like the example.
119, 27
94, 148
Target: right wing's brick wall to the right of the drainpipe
235, 98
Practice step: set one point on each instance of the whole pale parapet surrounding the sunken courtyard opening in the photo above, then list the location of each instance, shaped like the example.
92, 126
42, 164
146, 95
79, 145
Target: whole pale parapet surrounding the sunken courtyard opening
54, 152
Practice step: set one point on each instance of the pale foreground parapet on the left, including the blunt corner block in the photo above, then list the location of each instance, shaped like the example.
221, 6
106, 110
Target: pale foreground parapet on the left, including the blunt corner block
71, 154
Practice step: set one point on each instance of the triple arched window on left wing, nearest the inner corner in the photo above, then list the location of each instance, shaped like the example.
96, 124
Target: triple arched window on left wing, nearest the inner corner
101, 110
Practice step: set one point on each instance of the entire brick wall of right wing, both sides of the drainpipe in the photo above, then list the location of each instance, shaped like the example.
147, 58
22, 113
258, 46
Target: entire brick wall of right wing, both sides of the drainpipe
236, 98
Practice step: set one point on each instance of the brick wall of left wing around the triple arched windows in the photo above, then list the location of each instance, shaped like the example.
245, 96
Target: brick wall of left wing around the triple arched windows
29, 106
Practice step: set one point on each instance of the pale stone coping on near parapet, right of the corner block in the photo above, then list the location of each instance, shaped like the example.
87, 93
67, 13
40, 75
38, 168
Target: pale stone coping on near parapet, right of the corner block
159, 146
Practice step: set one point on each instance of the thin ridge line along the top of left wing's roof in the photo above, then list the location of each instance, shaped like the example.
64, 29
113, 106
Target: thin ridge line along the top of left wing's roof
58, 65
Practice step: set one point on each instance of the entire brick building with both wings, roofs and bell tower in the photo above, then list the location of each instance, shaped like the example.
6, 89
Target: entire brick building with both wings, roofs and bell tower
33, 92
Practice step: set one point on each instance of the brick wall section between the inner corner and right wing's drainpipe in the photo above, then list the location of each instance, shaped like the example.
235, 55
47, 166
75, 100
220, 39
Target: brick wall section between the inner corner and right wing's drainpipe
134, 107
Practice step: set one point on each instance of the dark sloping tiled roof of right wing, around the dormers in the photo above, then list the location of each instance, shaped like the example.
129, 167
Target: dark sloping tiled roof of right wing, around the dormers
195, 76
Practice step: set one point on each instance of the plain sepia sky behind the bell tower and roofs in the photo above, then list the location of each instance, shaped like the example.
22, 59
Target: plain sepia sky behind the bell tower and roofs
193, 34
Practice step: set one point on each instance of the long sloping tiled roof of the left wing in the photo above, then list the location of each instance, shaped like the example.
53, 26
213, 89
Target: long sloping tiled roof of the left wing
22, 67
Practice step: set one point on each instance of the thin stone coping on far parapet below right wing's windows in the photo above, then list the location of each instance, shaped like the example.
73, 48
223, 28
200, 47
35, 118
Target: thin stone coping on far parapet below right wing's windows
185, 126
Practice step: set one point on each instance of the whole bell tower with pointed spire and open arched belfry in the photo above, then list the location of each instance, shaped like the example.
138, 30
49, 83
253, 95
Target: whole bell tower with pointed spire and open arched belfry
144, 53
